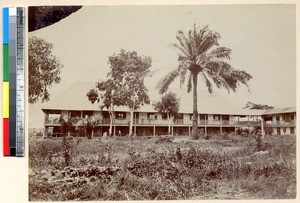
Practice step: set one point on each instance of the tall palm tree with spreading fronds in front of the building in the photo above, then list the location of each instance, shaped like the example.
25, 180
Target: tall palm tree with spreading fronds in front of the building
199, 56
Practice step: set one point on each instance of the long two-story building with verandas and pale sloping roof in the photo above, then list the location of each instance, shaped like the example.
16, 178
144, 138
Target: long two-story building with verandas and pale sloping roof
215, 114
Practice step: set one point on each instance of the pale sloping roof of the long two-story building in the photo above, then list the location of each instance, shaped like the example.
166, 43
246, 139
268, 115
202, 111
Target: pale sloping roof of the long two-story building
74, 98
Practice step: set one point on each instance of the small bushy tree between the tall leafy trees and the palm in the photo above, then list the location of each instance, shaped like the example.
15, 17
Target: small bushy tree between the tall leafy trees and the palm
169, 104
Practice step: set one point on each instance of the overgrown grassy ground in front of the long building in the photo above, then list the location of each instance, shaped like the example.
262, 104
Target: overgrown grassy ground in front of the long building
144, 168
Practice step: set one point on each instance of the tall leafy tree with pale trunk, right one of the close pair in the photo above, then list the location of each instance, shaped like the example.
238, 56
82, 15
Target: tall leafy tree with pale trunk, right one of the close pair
128, 70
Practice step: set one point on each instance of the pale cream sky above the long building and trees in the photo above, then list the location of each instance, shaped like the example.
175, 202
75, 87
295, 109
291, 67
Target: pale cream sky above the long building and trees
262, 39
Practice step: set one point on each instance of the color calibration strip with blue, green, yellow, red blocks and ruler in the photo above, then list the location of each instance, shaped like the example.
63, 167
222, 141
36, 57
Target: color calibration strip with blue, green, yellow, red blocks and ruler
13, 81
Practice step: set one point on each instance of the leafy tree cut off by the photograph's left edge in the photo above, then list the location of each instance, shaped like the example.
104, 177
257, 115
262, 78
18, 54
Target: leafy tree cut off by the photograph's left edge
44, 69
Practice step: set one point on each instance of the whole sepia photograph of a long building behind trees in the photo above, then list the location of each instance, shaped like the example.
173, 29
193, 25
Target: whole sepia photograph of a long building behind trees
162, 102
